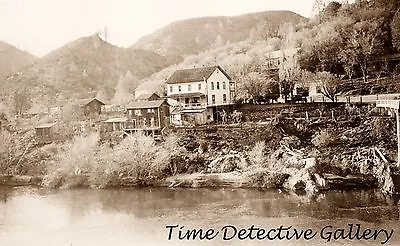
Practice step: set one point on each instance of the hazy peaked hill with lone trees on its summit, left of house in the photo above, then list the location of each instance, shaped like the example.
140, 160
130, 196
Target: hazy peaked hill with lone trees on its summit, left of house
86, 65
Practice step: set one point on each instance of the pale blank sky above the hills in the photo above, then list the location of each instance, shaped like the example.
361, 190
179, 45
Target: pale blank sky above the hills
40, 26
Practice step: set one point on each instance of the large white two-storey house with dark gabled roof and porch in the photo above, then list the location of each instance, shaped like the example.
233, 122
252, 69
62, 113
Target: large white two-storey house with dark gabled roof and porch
196, 94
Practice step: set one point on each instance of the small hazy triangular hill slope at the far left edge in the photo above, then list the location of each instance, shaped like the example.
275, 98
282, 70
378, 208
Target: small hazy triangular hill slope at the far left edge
13, 59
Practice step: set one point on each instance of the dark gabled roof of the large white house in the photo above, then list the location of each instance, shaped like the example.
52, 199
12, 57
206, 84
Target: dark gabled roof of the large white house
194, 75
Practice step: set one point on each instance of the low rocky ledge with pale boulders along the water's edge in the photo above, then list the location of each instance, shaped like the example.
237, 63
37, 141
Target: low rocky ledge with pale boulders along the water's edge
233, 171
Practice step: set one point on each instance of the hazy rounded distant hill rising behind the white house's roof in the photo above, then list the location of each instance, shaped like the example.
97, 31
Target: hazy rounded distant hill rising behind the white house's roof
192, 36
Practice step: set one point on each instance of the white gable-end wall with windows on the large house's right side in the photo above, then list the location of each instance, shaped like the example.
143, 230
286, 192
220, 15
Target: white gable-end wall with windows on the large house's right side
218, 78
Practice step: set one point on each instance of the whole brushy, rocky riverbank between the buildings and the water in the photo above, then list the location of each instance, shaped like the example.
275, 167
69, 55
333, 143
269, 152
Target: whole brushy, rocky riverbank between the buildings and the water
285, 153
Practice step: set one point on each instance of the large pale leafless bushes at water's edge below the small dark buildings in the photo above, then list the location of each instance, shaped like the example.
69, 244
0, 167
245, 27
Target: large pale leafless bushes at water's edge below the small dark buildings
83, 161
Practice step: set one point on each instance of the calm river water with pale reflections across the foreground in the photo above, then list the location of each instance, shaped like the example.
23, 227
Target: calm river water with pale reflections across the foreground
36, 216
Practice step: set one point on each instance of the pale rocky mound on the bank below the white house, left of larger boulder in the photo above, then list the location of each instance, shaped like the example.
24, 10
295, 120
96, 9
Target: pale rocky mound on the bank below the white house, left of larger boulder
228, 163
